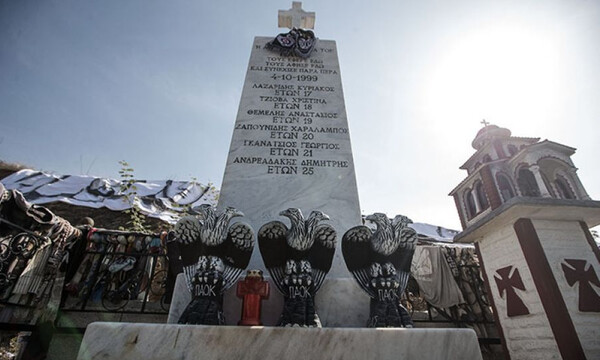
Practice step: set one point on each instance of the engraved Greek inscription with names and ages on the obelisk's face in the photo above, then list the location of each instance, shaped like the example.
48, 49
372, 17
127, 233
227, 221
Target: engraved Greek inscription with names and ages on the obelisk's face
290, 120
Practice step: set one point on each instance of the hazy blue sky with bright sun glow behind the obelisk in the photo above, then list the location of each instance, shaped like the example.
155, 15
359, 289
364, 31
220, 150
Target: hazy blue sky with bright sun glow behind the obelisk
84, 84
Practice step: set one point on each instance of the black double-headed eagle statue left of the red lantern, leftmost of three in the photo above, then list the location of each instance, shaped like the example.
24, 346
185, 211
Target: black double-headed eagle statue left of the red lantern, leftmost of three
213, 254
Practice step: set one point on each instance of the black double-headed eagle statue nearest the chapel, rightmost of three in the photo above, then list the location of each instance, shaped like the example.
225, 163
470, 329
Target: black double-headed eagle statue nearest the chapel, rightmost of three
380, 262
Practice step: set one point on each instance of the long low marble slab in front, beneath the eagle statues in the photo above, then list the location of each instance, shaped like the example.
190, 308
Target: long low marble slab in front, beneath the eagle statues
185, 342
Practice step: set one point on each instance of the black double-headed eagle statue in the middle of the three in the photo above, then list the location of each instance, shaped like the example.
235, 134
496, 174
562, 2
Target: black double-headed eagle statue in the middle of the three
298, 258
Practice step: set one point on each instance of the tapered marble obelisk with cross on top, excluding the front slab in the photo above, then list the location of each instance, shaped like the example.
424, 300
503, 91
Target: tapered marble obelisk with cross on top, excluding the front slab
291, 144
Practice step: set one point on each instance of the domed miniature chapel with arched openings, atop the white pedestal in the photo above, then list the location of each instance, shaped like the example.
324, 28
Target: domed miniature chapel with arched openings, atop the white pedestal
505, 166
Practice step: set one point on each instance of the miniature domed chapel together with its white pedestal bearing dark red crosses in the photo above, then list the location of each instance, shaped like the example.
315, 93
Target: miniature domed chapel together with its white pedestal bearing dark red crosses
528, 214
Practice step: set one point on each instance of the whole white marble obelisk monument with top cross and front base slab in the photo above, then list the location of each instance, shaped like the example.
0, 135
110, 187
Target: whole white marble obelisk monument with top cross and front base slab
290, 148
